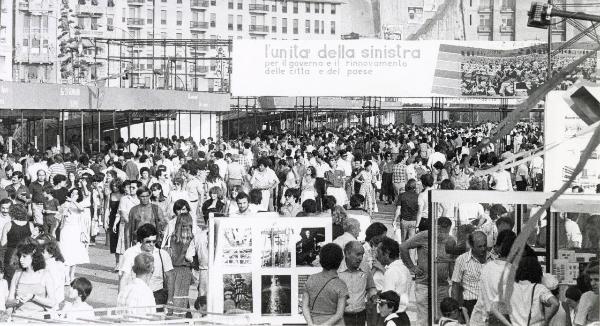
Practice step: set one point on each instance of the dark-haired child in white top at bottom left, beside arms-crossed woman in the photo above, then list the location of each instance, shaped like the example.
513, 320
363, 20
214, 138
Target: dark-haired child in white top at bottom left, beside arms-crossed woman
74, 305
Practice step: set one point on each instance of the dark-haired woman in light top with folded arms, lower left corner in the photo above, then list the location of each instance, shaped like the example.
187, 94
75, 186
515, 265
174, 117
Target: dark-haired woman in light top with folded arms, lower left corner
32, 288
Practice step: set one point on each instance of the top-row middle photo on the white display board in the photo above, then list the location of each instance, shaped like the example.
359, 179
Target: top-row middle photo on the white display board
276, 247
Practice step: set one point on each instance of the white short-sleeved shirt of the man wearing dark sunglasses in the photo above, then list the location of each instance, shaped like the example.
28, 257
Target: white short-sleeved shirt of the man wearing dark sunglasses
156, 281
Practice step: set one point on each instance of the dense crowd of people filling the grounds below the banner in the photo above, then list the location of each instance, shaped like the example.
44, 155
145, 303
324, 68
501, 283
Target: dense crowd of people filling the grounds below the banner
154, 198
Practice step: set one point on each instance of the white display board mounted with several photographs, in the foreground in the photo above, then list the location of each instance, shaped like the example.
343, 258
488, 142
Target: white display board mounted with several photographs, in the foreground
257, 265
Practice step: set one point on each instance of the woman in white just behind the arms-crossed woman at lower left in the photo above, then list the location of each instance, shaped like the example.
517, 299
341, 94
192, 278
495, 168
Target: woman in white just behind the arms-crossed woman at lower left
55, 266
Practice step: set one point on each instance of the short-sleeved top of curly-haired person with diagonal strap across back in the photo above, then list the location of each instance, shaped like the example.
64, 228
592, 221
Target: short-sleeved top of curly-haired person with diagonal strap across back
323, 306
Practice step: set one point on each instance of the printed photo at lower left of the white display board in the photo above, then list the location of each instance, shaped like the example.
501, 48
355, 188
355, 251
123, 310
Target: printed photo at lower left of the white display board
237, 293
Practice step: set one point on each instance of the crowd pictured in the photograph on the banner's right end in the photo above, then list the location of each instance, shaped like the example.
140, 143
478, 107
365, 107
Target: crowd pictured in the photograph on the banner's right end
517, 75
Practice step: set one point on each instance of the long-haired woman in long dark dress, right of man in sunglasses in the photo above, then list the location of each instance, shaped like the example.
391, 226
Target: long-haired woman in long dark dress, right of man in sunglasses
178, 242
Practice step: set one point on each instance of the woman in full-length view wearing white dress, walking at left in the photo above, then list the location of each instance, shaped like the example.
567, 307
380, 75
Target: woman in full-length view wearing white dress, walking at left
74, 237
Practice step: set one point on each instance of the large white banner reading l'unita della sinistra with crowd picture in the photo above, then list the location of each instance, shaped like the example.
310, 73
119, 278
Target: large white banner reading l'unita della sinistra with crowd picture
394, 68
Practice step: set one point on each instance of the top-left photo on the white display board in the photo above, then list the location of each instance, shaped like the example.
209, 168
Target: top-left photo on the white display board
237, 248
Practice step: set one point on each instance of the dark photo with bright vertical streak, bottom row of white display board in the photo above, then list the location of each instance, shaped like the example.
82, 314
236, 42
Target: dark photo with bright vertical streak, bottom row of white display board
276, 295
